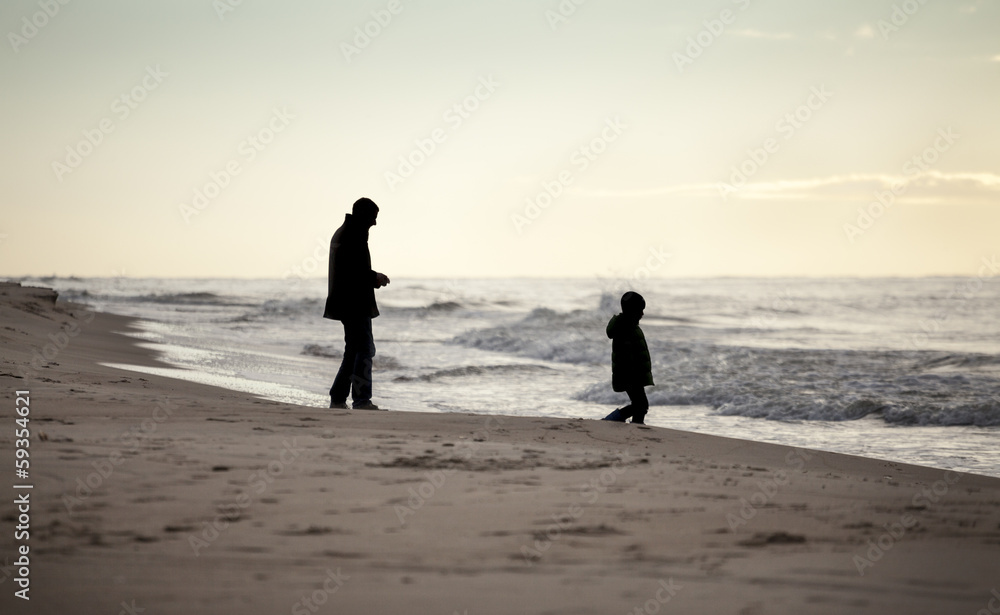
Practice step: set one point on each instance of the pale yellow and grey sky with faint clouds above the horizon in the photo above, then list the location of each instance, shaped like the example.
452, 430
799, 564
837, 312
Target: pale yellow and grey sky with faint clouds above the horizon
572, 138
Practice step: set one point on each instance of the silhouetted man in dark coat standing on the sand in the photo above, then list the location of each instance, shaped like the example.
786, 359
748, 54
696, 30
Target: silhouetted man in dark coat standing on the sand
351, 300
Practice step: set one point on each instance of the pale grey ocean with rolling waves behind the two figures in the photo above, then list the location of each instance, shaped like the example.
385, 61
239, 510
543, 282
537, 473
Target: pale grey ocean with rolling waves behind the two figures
897, 369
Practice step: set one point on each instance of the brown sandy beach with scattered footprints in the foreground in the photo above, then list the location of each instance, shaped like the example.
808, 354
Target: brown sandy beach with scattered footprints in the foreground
161, 496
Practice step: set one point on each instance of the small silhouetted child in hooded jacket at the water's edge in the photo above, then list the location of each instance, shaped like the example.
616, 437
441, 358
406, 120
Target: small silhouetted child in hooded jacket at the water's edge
631, 368
